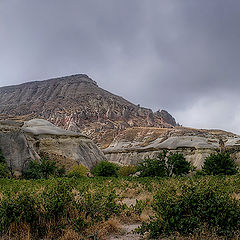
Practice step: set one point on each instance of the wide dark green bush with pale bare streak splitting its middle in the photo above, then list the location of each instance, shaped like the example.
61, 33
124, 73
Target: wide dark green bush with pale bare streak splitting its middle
165, 165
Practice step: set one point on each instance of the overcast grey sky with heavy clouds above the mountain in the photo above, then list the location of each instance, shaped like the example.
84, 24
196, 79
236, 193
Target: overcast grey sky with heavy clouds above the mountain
178, 55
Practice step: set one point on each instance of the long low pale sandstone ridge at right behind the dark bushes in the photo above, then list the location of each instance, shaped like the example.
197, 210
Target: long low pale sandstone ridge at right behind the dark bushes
139, 143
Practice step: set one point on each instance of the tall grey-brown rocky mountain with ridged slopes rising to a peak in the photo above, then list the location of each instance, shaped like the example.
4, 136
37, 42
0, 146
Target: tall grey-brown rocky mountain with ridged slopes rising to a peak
77, 103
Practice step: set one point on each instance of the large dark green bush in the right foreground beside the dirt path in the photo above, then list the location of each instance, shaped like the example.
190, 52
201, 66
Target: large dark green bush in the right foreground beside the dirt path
193, 209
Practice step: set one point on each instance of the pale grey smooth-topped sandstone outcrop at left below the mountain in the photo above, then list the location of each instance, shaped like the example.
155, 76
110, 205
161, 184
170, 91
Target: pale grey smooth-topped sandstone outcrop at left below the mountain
22, 142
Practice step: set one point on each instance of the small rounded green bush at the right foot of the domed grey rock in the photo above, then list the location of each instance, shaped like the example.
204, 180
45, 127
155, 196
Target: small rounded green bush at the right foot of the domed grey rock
105, 169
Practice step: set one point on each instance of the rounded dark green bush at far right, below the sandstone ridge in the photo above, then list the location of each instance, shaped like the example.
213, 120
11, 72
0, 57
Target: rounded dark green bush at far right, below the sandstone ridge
220, 163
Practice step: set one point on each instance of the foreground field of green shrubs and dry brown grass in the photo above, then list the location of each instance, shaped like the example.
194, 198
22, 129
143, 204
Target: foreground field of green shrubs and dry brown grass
96, 208
